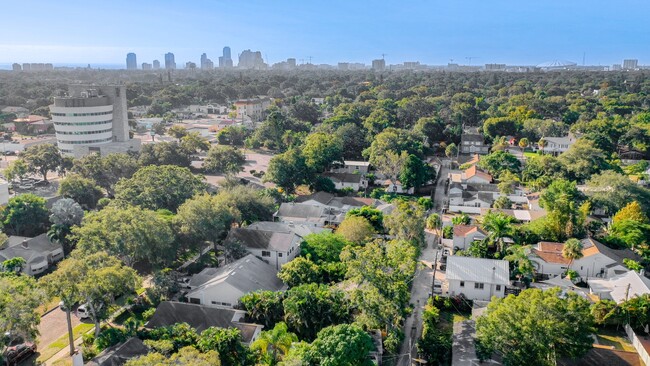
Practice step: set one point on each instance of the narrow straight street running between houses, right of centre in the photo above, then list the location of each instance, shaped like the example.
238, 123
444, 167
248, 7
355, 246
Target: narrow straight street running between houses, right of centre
422, 282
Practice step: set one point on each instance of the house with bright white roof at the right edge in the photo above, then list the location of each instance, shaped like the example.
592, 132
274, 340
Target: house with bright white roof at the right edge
620, 288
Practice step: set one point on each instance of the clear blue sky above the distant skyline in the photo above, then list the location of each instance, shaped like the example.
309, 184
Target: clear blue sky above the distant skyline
522, 32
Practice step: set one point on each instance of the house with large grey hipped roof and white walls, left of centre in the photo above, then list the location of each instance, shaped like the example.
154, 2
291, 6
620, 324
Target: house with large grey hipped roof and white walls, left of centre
224, 286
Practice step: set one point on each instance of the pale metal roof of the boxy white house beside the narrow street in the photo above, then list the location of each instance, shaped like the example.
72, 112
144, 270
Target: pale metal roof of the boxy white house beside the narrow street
471, 269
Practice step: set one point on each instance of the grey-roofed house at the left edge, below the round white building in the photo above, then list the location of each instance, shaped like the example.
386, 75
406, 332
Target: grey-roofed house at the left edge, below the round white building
39, 252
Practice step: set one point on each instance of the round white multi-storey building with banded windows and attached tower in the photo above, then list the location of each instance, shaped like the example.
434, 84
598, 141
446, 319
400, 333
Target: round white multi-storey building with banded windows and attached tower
92, 119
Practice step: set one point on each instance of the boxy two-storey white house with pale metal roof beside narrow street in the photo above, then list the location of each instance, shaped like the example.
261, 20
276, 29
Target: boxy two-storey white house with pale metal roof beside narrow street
477, 278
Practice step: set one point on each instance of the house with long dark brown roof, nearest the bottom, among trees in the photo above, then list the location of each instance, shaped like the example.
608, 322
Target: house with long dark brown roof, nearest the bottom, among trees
201, 317
